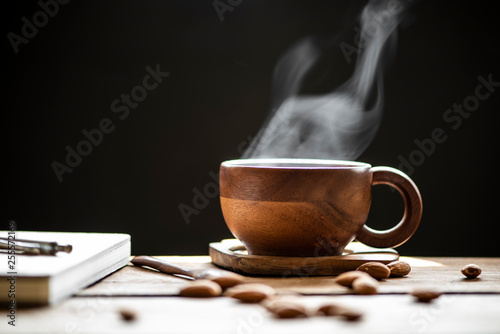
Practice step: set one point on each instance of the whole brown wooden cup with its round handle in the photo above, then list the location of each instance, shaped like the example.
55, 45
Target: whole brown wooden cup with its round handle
310, 207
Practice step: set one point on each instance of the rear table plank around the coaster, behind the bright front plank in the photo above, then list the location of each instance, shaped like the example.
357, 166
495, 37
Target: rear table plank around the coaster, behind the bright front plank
435, 271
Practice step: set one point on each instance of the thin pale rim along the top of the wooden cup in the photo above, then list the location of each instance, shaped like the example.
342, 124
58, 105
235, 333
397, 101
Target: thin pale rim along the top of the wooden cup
294, 163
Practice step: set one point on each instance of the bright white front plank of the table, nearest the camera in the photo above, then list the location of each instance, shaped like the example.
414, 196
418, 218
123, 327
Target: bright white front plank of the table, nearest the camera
381, 314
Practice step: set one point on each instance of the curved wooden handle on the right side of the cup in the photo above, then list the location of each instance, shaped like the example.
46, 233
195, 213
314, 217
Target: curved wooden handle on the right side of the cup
400, 233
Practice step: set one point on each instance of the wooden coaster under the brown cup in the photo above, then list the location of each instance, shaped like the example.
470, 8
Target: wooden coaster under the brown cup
231, 254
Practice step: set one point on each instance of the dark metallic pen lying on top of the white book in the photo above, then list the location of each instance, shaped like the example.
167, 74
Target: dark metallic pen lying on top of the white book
32, 247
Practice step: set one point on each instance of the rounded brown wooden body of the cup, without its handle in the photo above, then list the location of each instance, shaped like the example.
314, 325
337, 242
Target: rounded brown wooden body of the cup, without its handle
295, 211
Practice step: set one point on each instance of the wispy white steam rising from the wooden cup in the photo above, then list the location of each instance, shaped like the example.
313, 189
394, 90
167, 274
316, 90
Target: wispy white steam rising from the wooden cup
340, 124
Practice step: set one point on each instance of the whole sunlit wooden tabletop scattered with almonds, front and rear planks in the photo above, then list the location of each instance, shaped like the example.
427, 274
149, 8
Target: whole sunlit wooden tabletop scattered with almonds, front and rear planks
467, 306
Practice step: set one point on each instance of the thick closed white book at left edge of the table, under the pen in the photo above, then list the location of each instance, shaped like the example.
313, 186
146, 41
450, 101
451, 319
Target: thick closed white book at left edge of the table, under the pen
48, 279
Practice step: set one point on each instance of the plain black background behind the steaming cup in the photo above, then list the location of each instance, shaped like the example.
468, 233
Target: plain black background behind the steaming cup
217, 95
